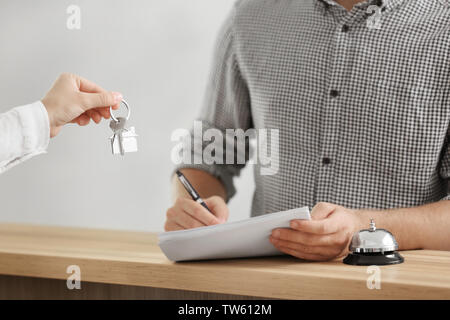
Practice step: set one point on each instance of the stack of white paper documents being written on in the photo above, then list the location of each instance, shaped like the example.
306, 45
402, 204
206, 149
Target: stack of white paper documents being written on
246, 238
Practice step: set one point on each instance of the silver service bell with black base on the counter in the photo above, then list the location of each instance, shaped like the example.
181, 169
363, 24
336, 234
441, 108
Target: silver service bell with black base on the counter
373, 247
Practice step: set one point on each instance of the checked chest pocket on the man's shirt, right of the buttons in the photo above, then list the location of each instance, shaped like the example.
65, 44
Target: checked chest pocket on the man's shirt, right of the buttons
402, 128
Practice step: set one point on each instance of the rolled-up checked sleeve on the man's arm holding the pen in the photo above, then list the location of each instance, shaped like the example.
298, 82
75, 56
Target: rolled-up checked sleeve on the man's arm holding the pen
226, 104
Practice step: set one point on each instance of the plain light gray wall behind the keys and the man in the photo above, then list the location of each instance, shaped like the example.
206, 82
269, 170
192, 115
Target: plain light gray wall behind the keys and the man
157, 53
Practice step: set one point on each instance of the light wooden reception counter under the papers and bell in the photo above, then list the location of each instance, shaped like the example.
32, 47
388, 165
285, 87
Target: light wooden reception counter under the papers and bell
133, 260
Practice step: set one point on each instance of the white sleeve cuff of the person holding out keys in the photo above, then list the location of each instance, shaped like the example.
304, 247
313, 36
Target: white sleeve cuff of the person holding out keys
24, 133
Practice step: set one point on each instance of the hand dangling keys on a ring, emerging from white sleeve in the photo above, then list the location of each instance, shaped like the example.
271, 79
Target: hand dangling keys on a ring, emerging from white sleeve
77, 100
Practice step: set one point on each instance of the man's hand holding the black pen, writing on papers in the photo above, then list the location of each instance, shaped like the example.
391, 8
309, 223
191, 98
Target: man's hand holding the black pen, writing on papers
188, 214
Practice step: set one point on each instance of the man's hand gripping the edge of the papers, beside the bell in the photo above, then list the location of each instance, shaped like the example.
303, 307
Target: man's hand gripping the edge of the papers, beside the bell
325, 237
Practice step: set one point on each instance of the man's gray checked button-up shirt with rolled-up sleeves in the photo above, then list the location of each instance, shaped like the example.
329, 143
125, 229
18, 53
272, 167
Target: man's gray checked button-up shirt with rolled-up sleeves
361, 100
